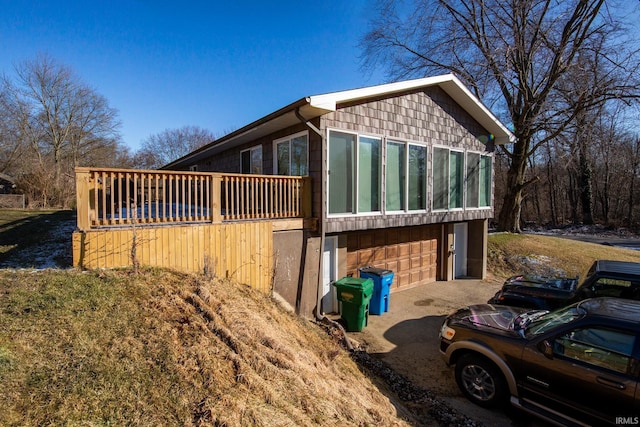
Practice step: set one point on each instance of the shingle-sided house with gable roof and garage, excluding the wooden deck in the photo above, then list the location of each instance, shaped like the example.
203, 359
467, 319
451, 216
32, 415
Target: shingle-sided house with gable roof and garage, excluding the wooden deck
402, 179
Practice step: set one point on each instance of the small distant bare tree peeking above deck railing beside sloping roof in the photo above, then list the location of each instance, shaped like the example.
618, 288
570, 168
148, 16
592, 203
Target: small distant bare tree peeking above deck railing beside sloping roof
162, 148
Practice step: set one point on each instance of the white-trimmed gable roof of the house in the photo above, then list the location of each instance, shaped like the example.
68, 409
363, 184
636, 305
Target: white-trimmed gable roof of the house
314, 106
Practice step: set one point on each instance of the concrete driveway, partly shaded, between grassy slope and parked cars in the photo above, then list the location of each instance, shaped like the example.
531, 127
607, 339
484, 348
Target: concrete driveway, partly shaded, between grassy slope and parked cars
406, 338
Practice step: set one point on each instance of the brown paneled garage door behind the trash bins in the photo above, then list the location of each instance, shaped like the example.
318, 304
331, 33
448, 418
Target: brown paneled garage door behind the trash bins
410, 252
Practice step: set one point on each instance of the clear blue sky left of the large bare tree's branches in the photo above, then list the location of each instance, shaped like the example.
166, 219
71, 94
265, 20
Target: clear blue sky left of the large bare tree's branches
215, 64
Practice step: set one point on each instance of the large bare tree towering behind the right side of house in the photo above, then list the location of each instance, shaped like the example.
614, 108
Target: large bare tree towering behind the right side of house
513, 54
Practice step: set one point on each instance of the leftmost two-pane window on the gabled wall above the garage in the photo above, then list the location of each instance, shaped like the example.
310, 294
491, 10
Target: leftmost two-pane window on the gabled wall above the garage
354, 173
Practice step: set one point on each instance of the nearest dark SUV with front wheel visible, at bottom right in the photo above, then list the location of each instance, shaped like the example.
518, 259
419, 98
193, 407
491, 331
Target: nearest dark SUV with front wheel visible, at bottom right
578, 365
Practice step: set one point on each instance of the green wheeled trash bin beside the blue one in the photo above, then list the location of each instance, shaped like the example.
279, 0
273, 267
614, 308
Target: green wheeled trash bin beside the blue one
354, 294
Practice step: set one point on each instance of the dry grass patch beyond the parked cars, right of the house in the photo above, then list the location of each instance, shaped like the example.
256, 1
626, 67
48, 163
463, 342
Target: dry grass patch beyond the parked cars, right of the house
507, 252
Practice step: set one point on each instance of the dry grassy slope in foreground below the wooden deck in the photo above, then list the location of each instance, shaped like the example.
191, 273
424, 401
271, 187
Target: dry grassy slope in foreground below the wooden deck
164, 348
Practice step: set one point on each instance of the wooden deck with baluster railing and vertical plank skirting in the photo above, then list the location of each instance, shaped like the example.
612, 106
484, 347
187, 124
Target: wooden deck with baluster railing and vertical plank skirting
191, 221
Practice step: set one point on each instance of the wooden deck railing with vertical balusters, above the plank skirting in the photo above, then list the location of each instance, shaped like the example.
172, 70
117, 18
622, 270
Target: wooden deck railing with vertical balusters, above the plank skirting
120, 197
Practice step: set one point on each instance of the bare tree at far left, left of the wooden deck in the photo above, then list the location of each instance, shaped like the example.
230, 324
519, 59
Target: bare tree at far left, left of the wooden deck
63, 122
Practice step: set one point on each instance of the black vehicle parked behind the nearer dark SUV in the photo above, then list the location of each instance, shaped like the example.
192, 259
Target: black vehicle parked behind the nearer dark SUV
605, 278
